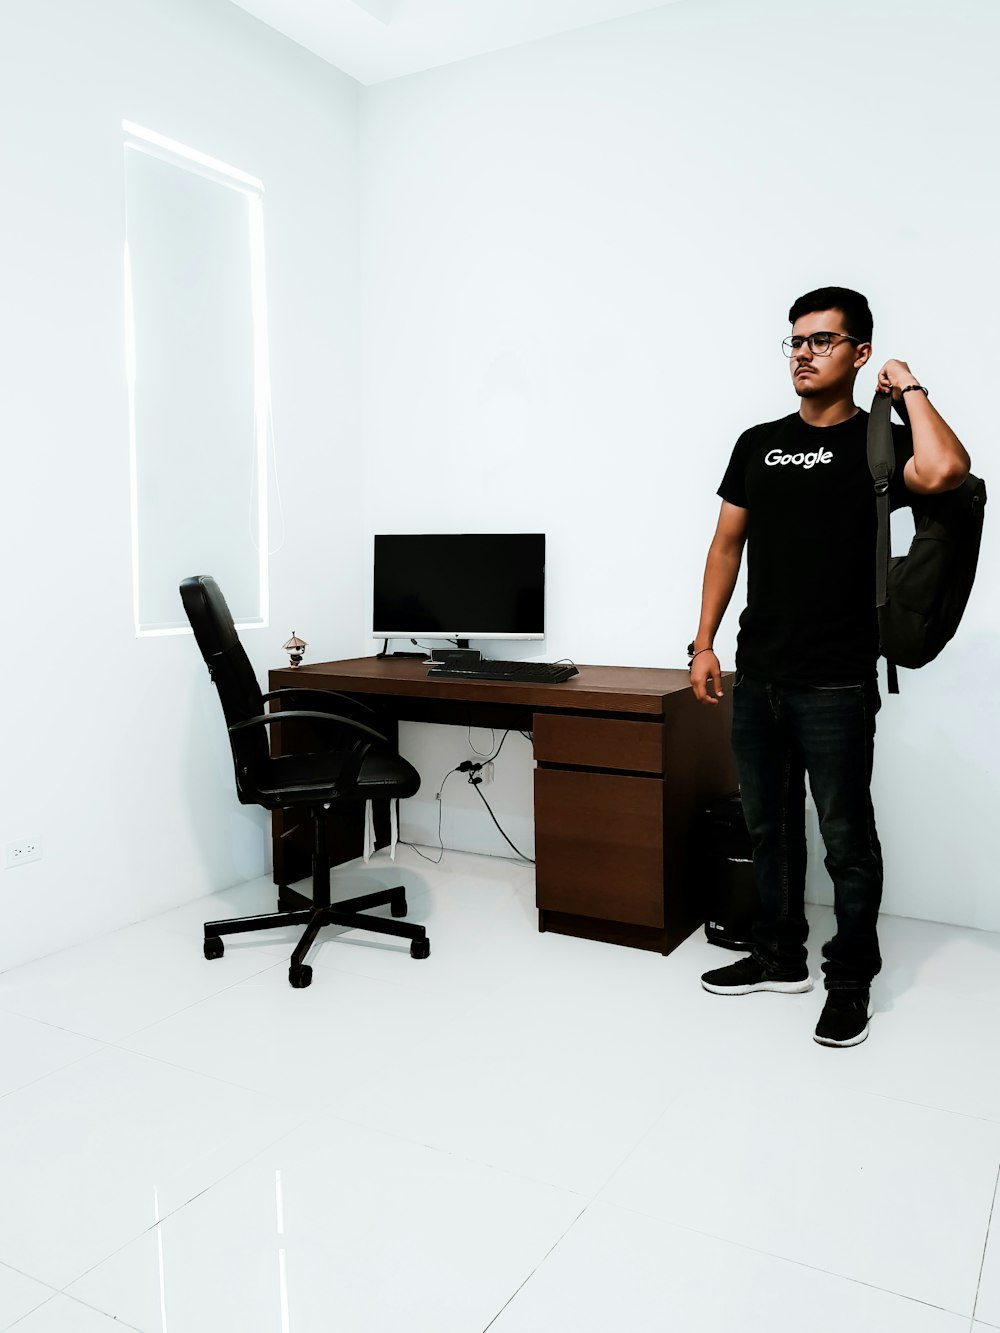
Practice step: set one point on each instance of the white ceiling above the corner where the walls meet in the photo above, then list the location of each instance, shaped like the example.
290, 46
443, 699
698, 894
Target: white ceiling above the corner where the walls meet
374, 41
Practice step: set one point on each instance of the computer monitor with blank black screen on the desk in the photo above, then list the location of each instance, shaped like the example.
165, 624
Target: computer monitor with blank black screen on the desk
459, 586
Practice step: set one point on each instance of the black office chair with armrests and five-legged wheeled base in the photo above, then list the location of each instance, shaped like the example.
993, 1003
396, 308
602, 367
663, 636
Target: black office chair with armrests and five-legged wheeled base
354, 766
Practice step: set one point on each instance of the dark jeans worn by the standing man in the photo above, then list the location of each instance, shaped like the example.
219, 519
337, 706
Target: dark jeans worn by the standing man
779, 735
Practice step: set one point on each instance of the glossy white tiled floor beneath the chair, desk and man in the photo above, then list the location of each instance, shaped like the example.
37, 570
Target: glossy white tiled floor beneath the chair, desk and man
523, 1132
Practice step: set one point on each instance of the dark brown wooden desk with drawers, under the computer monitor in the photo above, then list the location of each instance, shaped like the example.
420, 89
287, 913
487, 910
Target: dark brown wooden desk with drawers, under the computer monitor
625, 756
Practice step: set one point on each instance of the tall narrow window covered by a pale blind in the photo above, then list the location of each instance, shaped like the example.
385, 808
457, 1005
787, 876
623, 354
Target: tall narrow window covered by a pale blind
199, 387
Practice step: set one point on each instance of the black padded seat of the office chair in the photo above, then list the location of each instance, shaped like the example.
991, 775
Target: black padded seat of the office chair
313, 779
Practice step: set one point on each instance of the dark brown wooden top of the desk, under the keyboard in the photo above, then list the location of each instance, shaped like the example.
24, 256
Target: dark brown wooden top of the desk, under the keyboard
618, 690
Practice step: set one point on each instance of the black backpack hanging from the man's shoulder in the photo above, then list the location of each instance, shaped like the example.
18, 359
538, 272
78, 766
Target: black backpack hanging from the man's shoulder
922, 597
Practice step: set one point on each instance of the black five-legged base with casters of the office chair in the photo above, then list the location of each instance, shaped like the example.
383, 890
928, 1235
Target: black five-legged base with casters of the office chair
317, 912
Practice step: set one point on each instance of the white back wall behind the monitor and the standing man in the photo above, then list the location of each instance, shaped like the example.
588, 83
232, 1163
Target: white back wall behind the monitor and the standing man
578, 262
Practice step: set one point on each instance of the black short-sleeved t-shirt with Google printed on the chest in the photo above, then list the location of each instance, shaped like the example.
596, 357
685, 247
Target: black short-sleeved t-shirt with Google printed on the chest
810, 614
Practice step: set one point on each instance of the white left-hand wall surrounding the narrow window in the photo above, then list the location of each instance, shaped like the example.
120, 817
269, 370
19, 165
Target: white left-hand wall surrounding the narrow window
114, 747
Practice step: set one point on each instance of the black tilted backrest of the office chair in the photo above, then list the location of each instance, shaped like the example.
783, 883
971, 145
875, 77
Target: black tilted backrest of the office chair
231, 674
